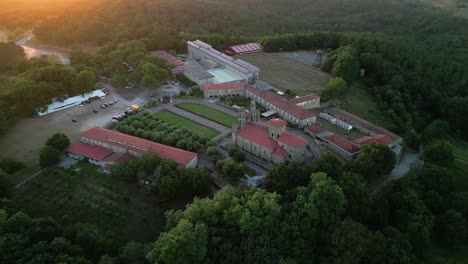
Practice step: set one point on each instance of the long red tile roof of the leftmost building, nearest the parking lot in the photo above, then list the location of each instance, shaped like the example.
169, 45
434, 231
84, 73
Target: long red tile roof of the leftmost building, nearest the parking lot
139, 145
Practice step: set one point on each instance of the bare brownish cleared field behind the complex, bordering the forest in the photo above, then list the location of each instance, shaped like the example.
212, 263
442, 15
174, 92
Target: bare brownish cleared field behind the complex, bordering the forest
285, 73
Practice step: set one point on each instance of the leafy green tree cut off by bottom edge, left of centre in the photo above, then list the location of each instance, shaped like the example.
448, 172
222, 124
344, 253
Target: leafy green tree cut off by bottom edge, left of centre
186, 243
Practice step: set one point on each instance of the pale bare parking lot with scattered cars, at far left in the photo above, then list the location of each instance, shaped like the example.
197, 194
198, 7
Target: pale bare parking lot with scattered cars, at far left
28, 135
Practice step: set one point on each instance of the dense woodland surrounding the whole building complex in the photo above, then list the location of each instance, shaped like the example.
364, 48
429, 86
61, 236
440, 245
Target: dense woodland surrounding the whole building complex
318, 213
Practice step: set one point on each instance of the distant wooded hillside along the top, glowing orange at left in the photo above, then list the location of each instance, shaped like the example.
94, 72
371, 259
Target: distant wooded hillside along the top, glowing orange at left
110, 20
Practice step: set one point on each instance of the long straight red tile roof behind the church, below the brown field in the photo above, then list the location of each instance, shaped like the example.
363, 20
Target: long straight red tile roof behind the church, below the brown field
283, 104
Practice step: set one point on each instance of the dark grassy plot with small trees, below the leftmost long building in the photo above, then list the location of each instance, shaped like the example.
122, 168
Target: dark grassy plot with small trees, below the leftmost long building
82, 194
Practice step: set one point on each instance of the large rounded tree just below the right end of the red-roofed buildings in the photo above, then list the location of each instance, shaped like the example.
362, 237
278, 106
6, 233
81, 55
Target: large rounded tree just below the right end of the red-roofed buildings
374, 161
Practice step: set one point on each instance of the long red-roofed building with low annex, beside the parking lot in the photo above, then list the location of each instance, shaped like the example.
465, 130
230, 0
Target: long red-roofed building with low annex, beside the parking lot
104, 147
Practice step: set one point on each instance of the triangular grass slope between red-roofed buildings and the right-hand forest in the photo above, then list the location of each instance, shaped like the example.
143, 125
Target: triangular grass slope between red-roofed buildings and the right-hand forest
359, 102
